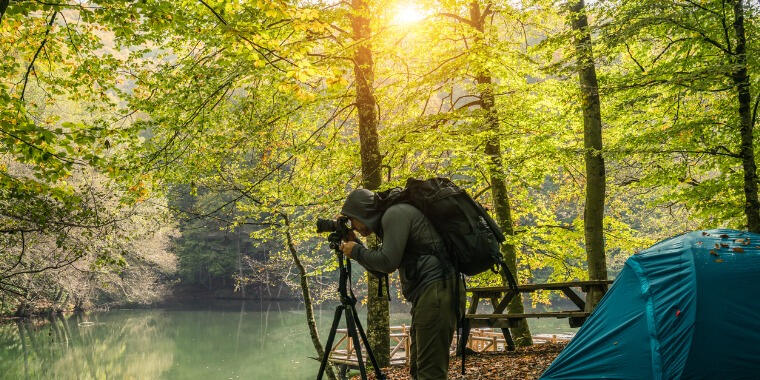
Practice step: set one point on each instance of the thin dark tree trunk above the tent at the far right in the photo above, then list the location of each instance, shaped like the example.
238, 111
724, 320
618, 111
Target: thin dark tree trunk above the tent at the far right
747, 152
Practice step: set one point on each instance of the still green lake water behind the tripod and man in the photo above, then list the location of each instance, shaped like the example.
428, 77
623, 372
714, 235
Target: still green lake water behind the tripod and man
238, 341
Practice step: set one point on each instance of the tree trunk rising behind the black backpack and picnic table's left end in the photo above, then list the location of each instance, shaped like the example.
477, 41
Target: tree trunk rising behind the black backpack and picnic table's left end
521, 333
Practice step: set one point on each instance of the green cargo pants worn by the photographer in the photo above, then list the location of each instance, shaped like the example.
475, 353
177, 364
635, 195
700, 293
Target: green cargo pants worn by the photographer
434, 320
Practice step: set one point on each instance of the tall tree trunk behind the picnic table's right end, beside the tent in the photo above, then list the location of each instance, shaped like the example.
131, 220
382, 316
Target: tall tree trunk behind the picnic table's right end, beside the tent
593, 213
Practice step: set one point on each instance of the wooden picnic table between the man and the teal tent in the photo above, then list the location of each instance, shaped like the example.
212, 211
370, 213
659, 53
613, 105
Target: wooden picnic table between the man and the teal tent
500, 296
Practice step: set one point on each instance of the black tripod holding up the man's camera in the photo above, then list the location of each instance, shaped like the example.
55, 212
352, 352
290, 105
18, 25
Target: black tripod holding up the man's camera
348, 306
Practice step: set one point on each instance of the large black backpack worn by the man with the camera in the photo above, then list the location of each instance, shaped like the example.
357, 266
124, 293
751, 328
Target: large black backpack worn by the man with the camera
471, 236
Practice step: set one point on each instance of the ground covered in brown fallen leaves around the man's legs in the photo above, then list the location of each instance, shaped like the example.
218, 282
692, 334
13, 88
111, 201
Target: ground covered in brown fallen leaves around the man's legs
524, 363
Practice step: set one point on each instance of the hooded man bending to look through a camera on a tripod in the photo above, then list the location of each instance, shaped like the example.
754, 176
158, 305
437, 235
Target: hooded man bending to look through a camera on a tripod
411, 245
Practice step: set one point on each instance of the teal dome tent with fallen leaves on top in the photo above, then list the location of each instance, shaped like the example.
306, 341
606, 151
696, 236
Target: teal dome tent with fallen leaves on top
685, 308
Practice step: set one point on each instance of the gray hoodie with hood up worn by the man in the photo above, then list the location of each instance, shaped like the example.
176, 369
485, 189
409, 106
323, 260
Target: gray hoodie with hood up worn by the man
410, 243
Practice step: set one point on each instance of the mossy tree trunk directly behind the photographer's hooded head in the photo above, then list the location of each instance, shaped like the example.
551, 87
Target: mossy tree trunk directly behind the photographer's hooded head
378, 315
